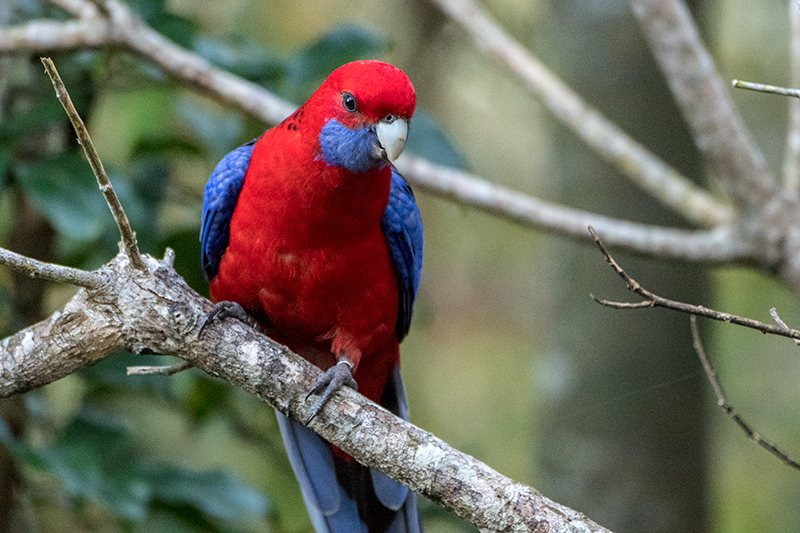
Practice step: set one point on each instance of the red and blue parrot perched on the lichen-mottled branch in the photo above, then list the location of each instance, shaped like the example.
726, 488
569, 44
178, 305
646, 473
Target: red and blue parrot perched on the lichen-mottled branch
311, 233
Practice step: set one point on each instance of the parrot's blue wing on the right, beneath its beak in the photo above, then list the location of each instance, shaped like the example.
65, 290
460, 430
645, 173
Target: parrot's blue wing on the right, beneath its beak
402, 226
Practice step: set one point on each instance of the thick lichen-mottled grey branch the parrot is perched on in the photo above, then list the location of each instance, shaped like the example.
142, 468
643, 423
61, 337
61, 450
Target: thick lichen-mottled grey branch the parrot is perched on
159, 313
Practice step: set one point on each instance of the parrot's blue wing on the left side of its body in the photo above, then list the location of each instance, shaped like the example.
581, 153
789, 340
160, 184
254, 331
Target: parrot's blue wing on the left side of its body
219, 201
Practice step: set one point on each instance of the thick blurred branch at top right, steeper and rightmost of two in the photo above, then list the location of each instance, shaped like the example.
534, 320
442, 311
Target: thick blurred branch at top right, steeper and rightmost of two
718, 130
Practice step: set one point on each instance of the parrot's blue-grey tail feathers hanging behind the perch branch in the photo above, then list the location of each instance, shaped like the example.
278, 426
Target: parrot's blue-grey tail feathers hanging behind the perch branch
348, 497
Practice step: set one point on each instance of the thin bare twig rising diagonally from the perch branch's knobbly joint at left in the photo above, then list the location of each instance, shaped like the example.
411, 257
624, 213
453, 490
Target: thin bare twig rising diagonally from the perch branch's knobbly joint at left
127, 234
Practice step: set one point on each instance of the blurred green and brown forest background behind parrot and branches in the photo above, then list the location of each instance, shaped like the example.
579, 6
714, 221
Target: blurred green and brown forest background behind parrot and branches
508, 358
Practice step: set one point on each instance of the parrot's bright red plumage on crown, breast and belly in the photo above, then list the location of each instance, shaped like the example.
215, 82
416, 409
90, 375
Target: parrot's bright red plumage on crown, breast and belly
307, 255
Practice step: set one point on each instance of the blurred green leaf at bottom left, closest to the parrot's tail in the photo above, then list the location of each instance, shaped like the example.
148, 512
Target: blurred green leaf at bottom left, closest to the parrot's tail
217, 494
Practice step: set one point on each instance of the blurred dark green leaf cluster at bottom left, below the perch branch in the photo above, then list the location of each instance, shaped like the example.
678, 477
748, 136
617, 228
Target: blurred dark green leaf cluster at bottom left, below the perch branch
95, 459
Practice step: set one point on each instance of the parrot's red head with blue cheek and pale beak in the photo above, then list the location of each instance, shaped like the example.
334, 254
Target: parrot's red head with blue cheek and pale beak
365, 108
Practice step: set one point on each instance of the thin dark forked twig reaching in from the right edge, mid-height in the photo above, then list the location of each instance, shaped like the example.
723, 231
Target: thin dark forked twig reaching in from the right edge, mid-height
657, 301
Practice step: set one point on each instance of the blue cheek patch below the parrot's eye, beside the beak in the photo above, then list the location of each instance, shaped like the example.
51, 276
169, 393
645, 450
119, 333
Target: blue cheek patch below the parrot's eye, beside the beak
351, 149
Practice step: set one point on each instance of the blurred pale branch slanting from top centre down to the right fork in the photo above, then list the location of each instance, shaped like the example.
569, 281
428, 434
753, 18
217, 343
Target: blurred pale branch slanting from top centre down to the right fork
602, 135
